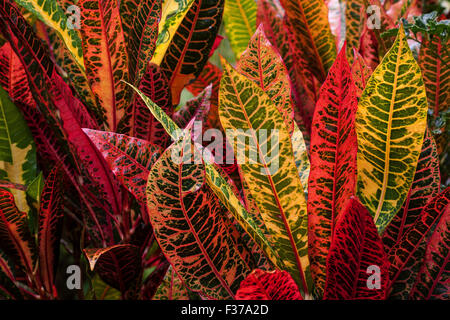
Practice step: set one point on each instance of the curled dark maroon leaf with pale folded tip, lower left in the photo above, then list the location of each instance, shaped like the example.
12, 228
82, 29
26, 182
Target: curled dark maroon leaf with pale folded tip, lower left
119, 266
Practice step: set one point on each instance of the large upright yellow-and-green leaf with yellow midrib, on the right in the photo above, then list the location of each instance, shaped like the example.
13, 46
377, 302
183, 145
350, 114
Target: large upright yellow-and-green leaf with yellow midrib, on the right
390, 126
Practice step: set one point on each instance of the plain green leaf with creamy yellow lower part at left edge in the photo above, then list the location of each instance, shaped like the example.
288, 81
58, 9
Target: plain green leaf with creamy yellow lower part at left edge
17, 150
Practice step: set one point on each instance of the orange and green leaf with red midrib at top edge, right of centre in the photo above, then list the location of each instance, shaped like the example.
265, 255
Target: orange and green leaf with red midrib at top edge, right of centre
309, 21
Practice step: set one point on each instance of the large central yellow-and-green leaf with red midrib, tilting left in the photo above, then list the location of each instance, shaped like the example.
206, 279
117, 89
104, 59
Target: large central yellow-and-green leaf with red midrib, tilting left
267, 163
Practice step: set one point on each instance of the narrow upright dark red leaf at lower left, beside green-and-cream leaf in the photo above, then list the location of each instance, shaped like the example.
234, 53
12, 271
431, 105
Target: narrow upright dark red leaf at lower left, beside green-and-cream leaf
50, 226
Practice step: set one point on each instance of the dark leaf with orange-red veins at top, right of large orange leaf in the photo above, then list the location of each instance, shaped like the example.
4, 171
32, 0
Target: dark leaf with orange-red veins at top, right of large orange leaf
140, 20
